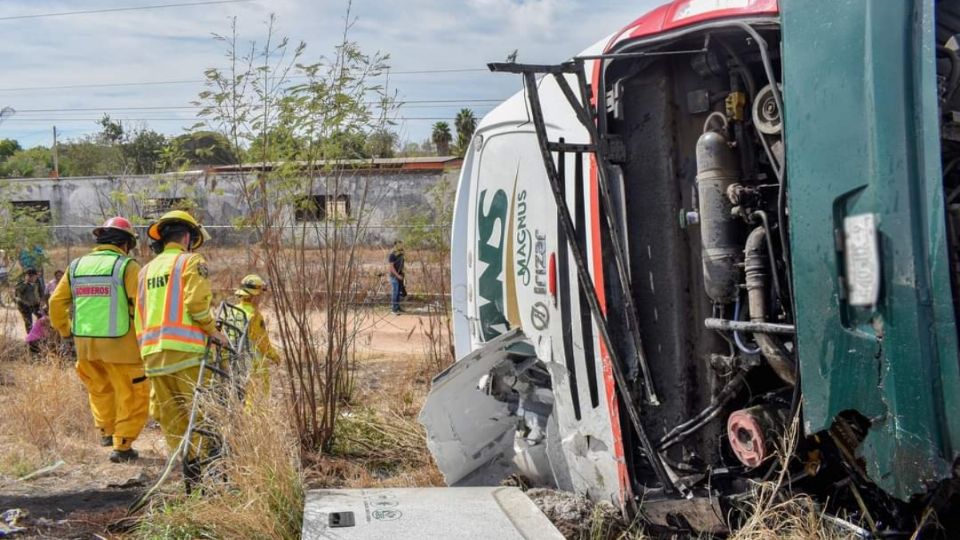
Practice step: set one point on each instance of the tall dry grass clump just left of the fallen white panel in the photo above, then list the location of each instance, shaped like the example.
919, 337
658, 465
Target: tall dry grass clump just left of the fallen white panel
263, 497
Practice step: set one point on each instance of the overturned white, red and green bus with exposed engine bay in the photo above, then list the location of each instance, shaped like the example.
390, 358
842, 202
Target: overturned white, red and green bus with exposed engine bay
718, 243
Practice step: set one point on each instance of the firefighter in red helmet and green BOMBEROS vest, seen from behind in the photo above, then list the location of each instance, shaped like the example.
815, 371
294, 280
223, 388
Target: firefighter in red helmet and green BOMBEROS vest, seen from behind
99, 290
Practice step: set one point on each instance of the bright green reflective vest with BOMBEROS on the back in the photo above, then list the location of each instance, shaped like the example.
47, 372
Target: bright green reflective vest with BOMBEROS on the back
100, 308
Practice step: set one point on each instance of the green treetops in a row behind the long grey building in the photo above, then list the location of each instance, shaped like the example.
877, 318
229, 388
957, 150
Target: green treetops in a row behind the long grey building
118, 149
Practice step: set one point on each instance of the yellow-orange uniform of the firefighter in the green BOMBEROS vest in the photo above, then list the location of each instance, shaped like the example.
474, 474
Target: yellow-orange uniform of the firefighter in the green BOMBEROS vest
110, 367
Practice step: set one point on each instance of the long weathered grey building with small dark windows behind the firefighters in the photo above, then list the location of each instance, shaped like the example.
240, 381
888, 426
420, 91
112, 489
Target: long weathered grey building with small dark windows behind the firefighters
378, 191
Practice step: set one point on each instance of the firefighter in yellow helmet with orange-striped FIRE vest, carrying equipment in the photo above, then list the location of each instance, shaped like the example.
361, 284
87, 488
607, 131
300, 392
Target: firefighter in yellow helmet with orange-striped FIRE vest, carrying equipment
174, 325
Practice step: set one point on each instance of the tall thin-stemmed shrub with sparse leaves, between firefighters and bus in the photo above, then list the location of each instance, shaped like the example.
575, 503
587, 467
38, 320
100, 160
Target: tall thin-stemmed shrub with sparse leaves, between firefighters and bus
298, 137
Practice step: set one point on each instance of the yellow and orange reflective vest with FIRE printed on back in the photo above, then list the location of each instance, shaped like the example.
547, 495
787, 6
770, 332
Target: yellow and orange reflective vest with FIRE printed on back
163, 322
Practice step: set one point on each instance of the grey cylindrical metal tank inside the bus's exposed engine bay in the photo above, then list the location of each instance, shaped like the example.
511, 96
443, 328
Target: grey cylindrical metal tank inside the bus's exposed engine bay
721, 233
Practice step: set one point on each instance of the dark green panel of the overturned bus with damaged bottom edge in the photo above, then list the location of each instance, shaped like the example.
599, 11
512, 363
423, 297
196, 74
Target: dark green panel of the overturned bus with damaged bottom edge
860, 106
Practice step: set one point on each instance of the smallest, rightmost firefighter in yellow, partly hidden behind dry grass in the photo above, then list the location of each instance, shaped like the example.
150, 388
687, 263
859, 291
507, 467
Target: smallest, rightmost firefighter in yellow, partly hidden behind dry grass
250, 295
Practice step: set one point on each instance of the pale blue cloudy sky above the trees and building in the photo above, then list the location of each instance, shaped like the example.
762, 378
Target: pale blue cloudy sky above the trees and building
50, 63
